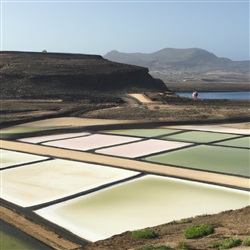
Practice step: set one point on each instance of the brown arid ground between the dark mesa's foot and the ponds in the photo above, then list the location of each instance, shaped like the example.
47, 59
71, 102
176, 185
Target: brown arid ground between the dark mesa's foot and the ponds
165, 107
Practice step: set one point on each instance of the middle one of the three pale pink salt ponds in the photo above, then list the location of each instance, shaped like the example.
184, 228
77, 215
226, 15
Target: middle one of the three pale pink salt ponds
91, 142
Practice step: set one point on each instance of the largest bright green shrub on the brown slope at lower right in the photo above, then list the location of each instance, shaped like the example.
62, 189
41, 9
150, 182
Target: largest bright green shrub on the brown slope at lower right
198, 231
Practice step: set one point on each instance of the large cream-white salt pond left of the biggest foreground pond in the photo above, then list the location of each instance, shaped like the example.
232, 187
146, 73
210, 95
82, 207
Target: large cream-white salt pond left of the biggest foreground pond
50, 180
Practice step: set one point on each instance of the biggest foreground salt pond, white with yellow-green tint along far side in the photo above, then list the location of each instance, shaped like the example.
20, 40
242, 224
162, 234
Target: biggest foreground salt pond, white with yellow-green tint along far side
144, 202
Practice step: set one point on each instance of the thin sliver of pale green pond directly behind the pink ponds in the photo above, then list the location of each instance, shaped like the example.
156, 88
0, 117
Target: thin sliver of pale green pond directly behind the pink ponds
142, 132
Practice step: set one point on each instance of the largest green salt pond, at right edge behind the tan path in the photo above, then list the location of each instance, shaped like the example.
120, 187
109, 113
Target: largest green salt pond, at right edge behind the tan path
212, 158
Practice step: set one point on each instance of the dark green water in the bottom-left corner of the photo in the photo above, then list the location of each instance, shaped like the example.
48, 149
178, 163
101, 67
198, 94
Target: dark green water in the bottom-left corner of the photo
13, 239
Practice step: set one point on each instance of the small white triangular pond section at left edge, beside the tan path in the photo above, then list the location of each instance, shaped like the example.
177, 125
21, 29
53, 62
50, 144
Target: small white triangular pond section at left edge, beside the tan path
13, 158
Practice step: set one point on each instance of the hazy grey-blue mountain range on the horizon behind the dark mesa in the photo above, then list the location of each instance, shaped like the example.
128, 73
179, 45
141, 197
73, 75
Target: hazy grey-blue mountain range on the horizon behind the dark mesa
185, 64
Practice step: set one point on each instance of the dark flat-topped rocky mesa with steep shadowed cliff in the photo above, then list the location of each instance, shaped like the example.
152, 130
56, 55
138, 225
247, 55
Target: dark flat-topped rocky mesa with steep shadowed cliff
50, 75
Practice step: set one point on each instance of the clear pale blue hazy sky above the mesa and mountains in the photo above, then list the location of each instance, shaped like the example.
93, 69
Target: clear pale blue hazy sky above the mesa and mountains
97, 27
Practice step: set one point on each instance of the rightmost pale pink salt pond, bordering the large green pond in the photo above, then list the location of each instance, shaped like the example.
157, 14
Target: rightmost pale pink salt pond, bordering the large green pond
141, 148
